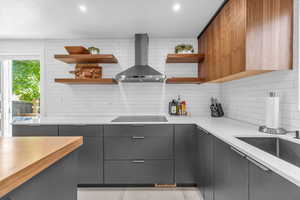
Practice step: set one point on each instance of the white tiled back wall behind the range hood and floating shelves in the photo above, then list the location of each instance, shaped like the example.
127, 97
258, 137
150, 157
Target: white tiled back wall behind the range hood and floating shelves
96, 100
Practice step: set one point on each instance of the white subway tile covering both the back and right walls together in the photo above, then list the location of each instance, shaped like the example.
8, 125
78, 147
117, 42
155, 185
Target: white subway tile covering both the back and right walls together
242, 99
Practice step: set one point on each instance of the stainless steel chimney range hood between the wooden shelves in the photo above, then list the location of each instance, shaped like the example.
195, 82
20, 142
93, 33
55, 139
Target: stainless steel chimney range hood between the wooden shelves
141, 71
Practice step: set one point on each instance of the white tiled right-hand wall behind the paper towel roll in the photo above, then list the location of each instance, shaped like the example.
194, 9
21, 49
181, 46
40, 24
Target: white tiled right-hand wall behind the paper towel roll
245, 99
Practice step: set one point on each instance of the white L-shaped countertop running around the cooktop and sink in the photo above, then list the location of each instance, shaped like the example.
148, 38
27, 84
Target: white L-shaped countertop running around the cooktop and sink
223, 128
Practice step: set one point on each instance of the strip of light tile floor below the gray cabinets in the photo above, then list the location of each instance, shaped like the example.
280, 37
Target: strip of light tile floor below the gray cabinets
139, 194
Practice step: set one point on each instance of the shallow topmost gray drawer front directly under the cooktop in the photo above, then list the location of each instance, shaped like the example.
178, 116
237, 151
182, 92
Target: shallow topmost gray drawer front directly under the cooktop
138, 130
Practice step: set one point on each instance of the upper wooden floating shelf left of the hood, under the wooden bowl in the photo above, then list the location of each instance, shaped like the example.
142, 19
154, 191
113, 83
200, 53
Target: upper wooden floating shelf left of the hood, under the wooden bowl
87, 58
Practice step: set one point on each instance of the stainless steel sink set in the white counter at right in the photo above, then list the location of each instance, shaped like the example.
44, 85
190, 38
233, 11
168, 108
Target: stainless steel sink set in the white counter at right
283, 149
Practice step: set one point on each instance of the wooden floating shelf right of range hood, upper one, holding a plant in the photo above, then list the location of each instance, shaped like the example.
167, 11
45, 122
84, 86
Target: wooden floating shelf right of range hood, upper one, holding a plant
185, 58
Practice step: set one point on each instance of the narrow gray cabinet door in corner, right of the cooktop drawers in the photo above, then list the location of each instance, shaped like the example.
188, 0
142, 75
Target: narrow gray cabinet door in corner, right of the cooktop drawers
185, 151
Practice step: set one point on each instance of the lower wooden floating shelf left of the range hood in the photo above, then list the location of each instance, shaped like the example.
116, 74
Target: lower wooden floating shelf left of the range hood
86, 81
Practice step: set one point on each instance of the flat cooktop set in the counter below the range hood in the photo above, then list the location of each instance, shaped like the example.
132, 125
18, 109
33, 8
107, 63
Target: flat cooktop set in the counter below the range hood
141, 118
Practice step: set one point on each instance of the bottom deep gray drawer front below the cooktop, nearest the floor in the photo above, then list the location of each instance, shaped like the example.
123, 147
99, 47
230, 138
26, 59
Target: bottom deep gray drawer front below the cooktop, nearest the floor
131, 172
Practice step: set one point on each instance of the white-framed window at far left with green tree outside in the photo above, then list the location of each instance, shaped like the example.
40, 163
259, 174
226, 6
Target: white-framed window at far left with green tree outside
20, 91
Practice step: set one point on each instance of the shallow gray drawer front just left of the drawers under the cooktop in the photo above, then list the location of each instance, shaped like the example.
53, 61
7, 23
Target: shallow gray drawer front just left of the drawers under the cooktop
81, 130
